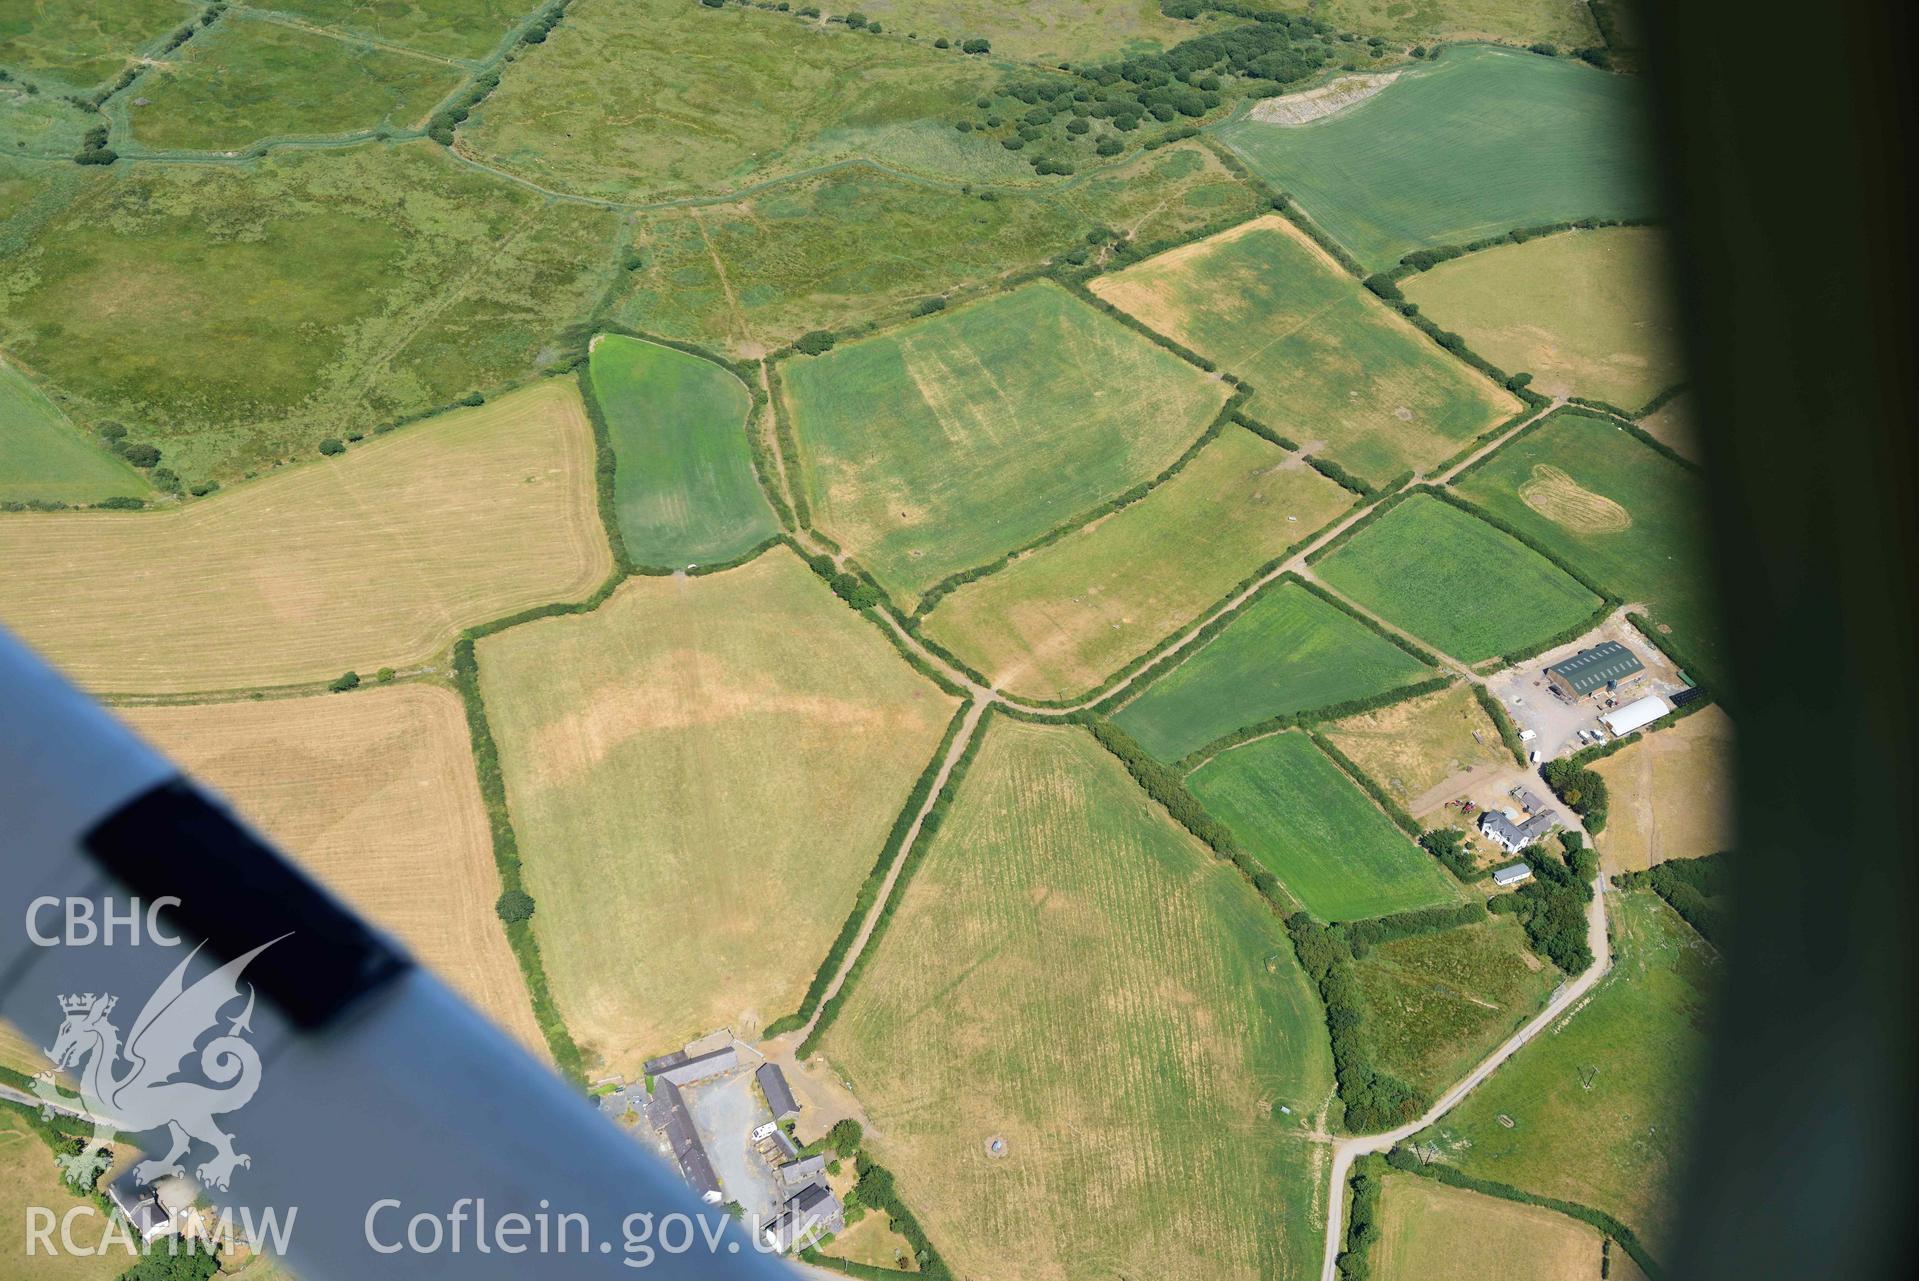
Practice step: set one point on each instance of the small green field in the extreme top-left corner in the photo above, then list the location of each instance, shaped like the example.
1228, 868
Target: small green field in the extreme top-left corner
82, 45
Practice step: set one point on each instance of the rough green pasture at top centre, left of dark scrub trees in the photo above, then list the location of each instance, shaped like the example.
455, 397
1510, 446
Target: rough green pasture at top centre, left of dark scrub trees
663, 99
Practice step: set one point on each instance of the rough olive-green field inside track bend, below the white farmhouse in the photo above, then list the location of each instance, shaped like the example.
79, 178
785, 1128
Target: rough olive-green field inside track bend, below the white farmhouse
1438, 1004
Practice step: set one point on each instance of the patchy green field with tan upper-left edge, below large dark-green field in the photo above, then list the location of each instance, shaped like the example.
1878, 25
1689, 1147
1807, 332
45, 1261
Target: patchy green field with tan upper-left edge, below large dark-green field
1331, 365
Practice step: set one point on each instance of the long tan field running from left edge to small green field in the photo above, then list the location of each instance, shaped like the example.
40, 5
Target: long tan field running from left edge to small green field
366, 561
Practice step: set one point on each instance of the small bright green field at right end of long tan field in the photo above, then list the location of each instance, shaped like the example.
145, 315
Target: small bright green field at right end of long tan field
684, 484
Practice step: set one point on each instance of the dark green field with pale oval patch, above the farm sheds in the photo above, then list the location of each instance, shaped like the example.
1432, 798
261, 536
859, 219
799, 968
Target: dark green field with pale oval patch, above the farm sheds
1626, 515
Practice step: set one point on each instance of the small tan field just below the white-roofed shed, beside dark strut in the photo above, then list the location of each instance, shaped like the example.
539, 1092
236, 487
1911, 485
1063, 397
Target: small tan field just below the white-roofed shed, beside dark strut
1672, 795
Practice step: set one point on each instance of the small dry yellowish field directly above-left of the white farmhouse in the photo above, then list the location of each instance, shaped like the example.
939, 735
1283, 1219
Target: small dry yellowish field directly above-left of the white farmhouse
1413, 747
